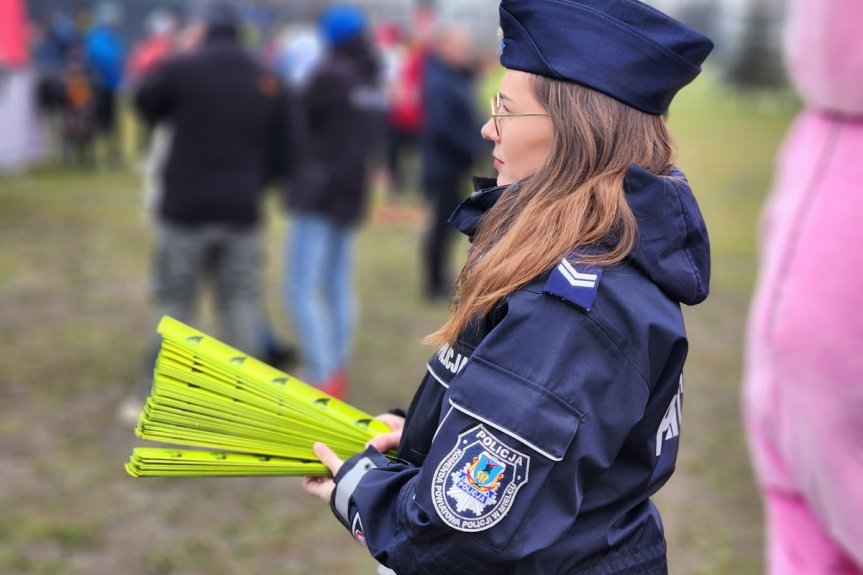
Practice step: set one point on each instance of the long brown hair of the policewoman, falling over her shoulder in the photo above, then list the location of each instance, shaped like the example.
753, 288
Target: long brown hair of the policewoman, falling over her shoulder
576, 199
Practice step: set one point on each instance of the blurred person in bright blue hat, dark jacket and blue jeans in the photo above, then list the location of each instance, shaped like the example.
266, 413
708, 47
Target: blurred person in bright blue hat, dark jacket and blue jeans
341, 111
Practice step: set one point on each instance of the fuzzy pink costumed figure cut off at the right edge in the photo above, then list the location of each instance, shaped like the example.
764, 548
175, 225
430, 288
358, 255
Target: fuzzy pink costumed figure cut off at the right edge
803, 380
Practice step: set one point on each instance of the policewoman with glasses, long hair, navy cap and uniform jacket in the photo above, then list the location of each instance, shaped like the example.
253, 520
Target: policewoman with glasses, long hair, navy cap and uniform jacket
551, 413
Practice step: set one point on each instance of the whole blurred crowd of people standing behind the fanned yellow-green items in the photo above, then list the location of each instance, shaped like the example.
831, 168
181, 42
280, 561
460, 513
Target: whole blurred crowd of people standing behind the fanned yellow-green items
327, 110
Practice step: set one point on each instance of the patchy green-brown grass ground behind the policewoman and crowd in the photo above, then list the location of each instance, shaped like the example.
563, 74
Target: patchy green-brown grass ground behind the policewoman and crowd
74, 318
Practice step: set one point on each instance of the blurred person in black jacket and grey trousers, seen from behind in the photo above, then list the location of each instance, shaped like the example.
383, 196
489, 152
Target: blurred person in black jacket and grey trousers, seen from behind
226, 114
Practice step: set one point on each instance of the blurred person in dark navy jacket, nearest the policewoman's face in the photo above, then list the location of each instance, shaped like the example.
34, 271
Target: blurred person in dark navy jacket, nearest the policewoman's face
449, 142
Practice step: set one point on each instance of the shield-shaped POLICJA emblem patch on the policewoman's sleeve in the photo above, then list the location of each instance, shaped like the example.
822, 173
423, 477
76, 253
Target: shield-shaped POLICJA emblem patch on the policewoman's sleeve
475, 485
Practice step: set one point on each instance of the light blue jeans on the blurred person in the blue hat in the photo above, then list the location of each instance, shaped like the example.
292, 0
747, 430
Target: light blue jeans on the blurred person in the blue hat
319, 291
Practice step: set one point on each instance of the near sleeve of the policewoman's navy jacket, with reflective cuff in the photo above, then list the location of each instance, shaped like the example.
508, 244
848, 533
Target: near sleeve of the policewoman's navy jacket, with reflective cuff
539, 412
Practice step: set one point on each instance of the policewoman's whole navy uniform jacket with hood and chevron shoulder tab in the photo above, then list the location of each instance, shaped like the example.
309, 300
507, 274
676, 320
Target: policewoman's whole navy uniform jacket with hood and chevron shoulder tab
534, 442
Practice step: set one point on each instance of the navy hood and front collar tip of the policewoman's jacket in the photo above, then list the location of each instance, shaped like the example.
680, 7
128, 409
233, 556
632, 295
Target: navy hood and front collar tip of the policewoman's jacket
673, 248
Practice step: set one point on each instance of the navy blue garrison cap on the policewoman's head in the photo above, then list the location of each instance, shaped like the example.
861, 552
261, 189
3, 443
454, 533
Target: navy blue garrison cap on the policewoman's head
622, 48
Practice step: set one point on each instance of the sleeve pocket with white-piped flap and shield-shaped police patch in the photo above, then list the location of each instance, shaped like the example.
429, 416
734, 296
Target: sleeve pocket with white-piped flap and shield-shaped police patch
488, 473
